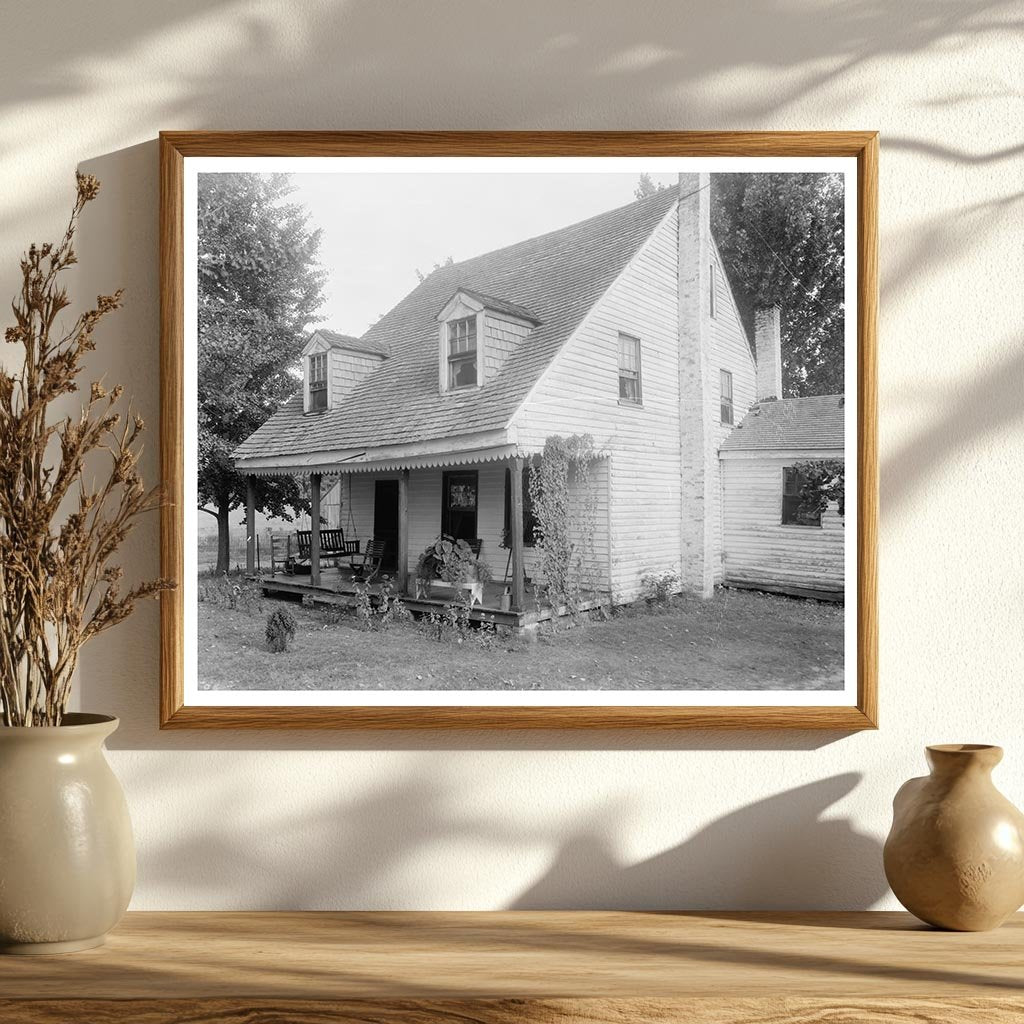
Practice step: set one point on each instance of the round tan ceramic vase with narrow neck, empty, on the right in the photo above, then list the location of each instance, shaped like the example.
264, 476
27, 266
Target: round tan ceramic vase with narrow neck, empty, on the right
955, 857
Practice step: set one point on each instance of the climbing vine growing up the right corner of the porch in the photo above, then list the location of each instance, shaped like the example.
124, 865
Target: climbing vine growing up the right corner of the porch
565, 503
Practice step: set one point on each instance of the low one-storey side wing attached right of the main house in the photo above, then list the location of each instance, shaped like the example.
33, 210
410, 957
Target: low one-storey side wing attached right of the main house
771, 540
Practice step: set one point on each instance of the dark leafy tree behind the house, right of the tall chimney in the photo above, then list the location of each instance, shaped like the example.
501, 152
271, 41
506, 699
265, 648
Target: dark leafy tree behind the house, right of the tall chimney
782, 239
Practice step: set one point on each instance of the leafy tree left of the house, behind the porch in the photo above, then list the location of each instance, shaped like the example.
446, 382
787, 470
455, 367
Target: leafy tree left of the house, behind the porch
260, 288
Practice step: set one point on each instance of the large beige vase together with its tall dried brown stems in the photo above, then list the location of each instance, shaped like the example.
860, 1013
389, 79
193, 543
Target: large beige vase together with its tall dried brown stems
67, 857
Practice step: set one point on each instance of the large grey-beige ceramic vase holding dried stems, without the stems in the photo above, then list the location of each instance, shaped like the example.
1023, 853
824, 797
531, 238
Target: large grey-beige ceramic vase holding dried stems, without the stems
67, 856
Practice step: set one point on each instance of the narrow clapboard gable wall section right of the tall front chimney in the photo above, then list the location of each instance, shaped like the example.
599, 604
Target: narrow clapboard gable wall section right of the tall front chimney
730, 351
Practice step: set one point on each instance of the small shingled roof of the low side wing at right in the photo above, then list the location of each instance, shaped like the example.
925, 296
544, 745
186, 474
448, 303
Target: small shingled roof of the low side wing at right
791, 423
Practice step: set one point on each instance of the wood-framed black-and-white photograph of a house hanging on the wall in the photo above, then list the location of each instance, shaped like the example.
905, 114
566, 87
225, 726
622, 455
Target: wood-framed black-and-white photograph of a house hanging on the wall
520, 431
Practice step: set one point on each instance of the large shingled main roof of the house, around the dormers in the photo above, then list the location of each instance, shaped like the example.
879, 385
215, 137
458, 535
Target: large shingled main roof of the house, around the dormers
558, 277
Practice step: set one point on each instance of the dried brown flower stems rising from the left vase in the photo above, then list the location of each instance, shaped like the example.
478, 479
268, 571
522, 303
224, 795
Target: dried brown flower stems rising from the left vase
59, 587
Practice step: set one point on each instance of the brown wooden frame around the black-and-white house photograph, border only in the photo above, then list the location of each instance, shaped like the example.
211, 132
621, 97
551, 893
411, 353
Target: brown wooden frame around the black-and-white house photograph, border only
177, 148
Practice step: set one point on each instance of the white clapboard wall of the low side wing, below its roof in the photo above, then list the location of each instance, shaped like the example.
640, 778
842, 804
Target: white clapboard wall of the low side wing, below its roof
758, 549
